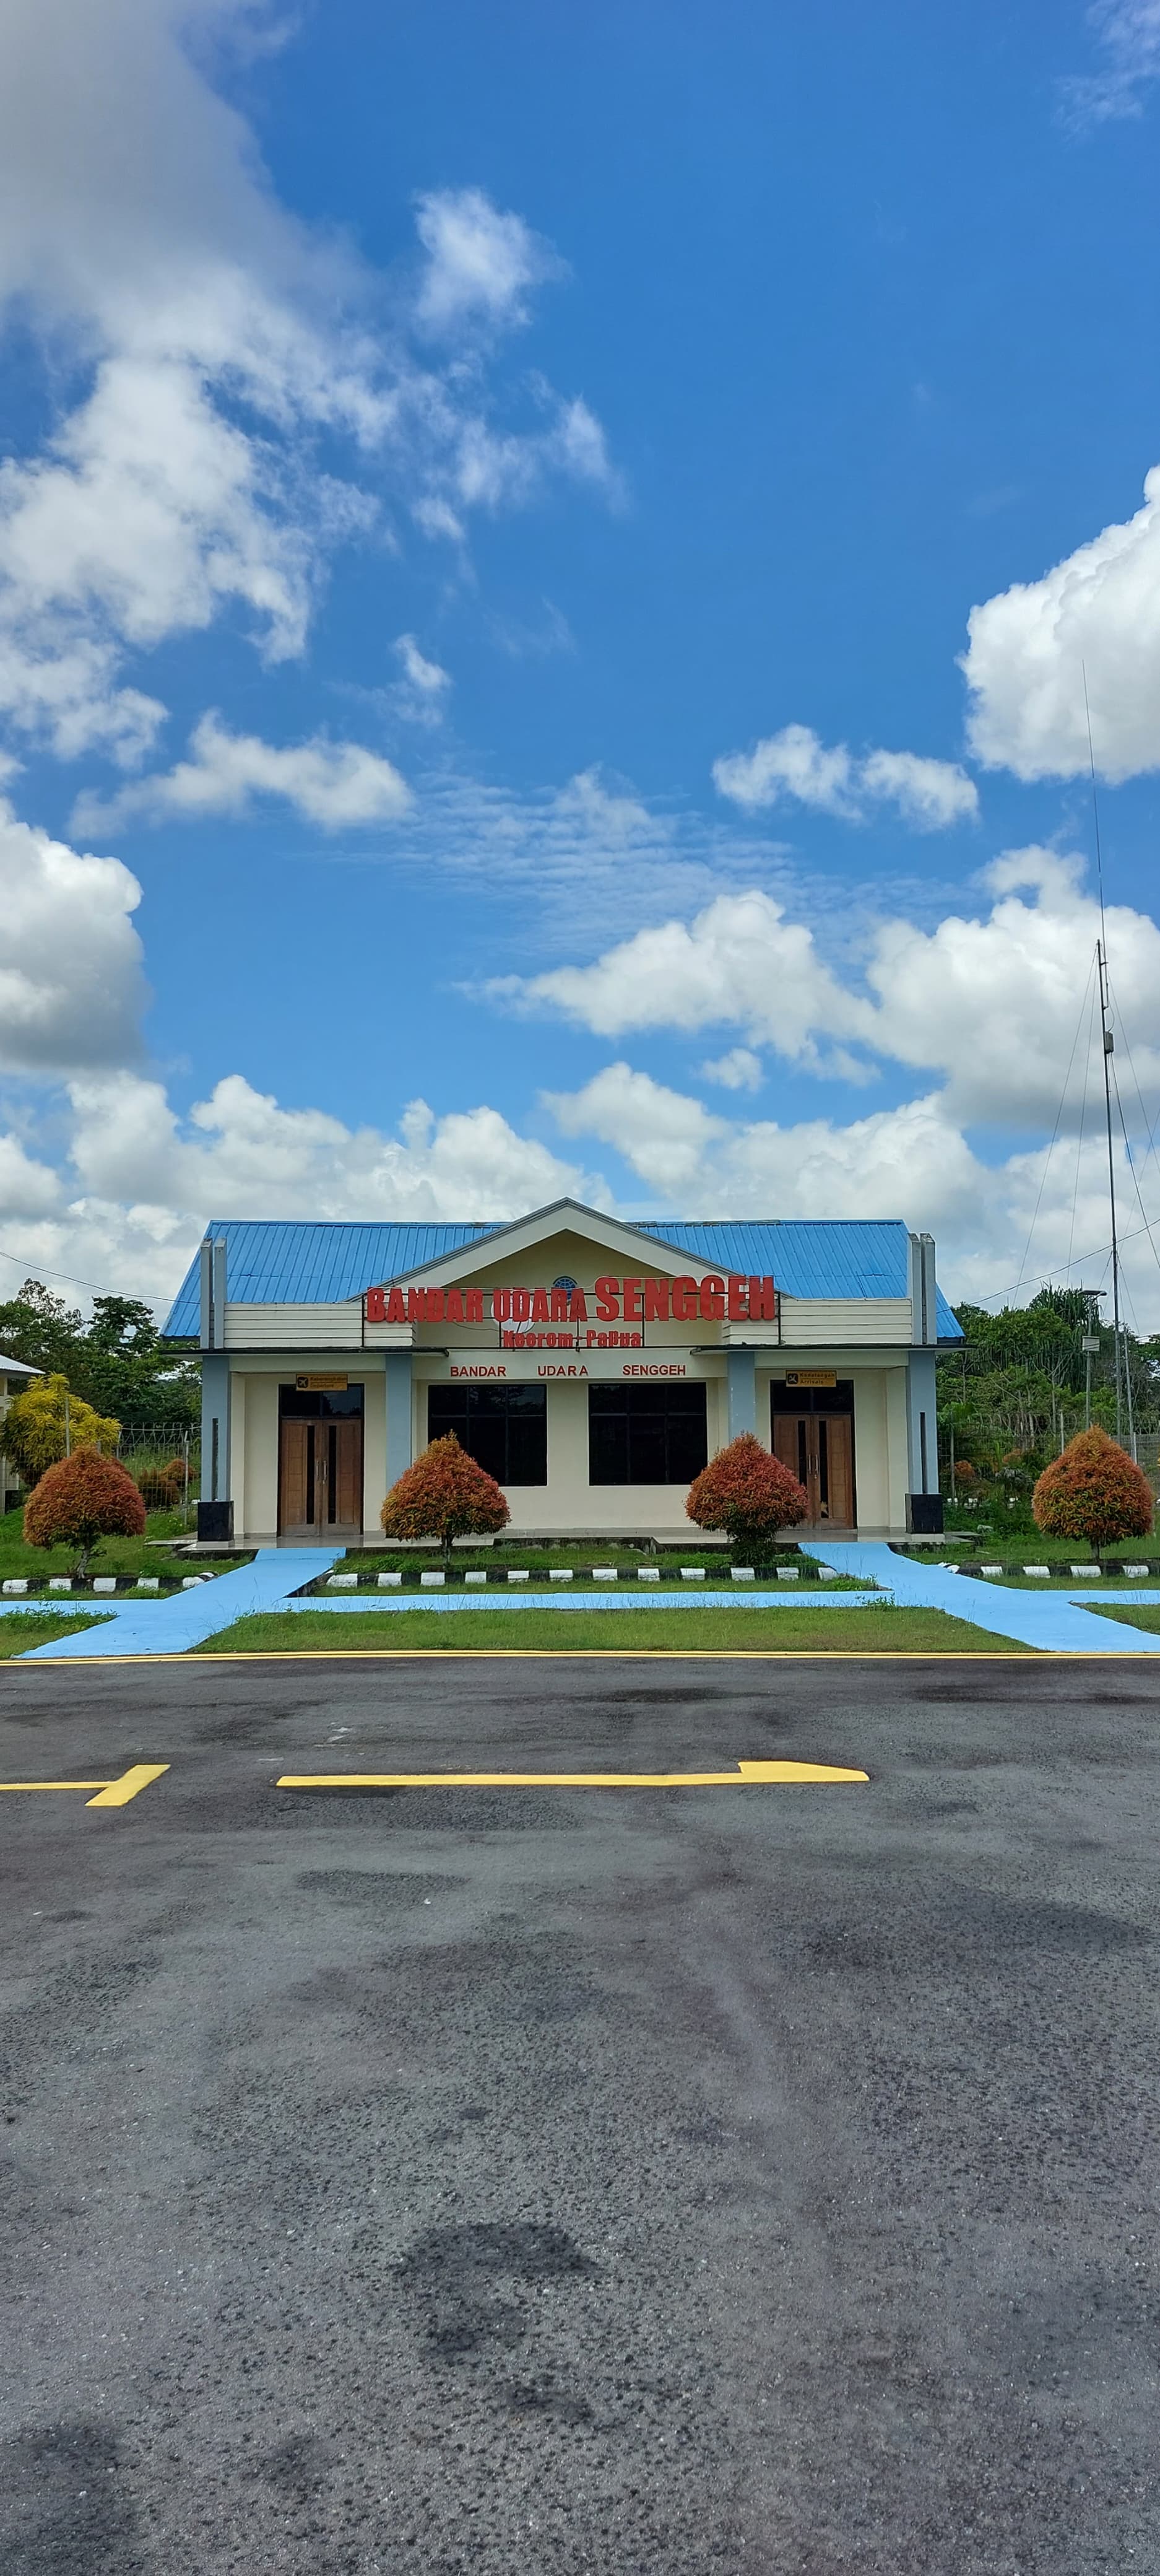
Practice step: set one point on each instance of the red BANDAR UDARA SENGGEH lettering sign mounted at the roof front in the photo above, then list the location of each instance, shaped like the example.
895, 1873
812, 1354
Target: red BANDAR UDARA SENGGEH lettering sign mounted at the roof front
715, 1300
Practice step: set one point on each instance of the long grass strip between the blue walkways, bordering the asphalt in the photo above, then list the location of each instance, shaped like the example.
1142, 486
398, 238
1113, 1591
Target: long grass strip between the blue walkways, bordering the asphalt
612, 1632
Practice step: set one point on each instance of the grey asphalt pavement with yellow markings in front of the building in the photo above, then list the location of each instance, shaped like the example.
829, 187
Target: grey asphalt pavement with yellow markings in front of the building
558, 2181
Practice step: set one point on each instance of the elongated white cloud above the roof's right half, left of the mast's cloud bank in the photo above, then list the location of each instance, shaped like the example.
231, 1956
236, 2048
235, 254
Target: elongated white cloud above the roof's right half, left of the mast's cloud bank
739, 962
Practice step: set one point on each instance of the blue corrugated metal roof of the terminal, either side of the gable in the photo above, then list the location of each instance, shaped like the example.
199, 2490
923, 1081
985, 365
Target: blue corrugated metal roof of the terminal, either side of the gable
275, 1264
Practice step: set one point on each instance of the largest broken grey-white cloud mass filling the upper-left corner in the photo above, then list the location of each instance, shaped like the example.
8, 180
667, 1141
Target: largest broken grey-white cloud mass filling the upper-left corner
238, 416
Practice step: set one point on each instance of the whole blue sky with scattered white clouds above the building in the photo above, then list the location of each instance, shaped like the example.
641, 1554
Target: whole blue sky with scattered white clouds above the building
548, 565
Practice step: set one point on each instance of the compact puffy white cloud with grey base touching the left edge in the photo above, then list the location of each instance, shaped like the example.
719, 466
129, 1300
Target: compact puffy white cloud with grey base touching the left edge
71, 960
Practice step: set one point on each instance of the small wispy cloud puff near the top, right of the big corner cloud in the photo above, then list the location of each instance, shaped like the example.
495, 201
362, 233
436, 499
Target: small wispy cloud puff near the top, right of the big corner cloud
478, 261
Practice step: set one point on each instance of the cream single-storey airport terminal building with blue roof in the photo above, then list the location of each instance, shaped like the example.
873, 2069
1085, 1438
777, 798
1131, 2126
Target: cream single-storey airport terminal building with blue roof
592, 1367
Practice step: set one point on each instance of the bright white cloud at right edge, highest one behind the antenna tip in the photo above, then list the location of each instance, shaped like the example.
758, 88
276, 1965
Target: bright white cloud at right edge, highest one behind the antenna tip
1030, 650
